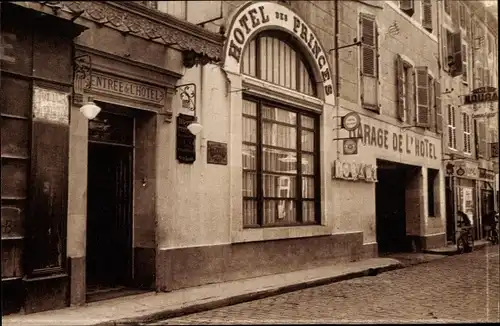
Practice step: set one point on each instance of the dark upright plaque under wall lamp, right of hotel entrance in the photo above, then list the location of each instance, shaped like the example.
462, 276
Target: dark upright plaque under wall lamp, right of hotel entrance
185, 141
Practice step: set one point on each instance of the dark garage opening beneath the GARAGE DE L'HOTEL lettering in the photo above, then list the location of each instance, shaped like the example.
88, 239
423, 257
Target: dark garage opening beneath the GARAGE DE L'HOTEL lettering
390, 197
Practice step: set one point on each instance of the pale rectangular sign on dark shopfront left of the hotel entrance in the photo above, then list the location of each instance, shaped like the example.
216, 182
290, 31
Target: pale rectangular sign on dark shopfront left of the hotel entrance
50, 105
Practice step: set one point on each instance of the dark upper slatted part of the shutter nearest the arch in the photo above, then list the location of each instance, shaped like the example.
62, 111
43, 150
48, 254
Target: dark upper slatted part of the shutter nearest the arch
368, 48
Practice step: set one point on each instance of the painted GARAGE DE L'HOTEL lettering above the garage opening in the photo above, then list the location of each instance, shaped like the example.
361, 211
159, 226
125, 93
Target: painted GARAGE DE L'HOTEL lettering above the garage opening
397, 142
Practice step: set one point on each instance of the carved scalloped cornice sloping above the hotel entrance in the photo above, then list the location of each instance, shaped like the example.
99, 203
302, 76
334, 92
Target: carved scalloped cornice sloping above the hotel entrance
133, 18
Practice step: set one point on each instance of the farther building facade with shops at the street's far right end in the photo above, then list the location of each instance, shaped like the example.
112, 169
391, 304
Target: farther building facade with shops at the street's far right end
469, 57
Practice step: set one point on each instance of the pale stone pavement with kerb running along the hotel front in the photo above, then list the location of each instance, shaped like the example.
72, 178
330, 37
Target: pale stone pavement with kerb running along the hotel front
153, 306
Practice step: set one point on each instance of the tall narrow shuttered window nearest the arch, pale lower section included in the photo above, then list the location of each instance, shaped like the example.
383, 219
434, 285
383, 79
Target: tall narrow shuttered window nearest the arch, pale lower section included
369, 62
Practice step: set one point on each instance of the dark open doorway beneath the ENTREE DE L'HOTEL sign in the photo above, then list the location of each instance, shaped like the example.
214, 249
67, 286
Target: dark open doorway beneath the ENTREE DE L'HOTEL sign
109, 204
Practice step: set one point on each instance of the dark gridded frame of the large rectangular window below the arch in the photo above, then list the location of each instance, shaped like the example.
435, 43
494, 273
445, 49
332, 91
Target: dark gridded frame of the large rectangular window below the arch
259, 171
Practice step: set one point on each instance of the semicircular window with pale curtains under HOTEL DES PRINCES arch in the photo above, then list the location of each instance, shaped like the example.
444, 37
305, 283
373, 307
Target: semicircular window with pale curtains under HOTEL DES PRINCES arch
271, 57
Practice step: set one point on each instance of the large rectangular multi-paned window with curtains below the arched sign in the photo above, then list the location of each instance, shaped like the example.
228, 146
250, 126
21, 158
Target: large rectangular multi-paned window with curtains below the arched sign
280, 165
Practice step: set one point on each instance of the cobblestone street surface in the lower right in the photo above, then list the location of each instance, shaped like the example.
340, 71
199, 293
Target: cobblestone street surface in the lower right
462, 288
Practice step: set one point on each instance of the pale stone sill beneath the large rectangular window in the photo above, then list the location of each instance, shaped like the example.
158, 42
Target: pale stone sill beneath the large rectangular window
277, 233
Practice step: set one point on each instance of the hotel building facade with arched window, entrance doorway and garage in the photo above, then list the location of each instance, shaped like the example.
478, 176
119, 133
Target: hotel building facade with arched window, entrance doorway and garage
132, 199
